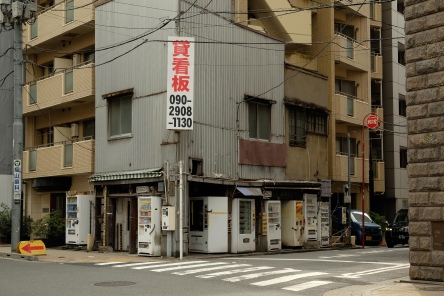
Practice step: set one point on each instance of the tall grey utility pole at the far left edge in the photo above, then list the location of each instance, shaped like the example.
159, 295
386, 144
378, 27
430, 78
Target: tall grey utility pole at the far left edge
15, 14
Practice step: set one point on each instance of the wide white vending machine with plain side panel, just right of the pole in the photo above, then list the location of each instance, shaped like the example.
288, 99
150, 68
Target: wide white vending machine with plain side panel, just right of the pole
208, 224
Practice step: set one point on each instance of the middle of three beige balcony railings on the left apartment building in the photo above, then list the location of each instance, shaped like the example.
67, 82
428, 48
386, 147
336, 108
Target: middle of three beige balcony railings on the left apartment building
63, 87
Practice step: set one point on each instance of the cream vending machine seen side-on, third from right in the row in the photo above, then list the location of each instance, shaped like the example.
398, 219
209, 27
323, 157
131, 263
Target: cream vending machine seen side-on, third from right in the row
292, 223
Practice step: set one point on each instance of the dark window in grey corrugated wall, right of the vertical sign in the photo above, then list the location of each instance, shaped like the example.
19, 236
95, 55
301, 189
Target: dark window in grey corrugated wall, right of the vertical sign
259, 120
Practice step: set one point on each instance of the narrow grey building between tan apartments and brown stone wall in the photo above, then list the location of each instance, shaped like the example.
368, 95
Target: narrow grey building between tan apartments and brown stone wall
394, 101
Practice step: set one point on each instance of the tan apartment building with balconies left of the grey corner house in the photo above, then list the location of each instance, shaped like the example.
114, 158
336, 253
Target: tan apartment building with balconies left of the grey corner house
58, 104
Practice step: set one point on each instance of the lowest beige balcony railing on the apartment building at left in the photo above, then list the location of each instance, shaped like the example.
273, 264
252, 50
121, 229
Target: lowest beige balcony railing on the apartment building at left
58, 159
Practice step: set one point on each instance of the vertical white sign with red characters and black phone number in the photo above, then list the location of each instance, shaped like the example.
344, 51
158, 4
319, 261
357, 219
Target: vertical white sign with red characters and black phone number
180, 83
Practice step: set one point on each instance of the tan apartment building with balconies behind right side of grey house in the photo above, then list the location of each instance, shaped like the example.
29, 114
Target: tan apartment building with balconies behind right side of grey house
339, 40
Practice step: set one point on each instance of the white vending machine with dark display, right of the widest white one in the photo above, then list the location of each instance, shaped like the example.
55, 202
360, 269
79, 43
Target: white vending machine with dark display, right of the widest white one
243, 232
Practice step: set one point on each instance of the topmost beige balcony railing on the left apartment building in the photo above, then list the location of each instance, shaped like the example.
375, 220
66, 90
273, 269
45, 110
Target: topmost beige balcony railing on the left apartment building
63, 19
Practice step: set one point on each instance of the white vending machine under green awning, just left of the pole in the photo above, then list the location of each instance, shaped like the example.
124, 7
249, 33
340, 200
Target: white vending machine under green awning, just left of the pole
150, 227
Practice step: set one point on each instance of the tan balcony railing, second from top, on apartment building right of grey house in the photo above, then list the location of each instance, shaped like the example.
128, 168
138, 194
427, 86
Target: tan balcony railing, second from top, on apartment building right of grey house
351, 53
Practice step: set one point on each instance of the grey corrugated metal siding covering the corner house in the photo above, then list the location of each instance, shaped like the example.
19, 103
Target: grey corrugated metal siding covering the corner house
224, 74
